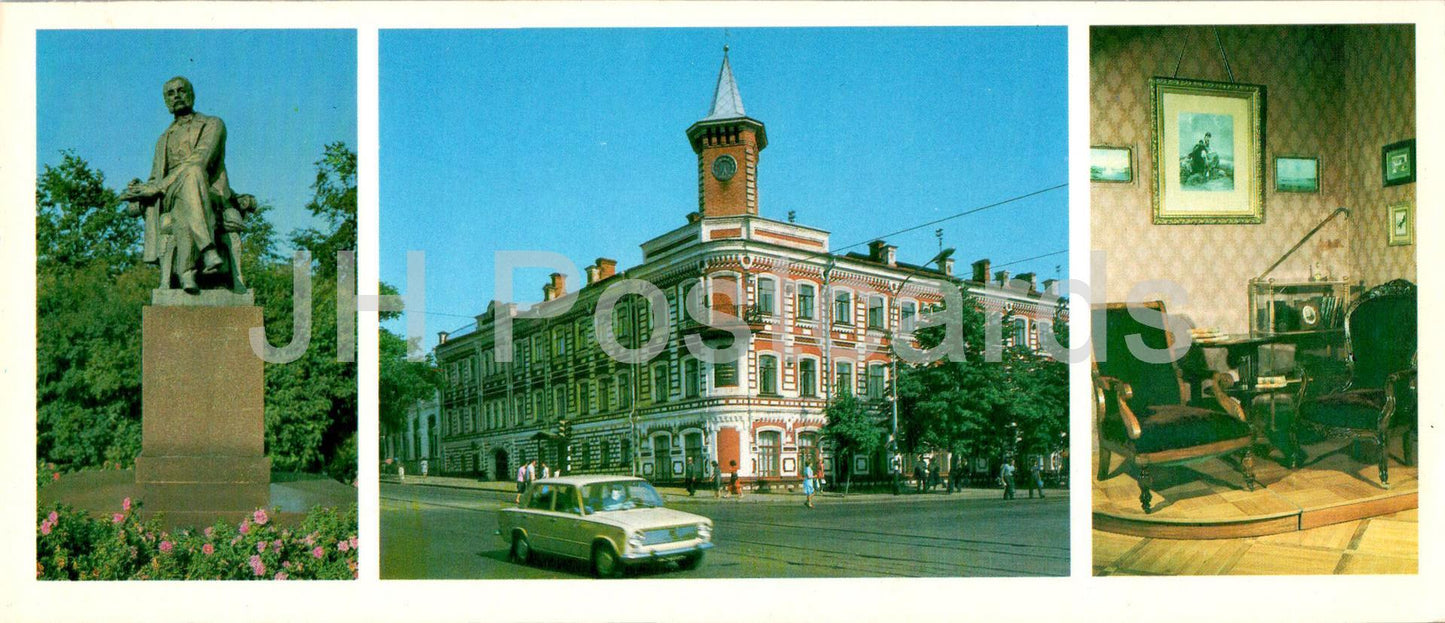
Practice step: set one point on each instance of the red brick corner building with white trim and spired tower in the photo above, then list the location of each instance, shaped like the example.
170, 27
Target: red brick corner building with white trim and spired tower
819, 323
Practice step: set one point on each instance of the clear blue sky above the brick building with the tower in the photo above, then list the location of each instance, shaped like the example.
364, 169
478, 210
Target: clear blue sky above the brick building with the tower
571, 141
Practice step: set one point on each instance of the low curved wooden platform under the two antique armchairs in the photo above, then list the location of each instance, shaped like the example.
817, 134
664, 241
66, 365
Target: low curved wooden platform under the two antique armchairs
1209, 501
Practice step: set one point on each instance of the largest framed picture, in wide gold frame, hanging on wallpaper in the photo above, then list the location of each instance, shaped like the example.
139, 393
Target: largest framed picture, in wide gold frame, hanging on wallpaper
1209, 148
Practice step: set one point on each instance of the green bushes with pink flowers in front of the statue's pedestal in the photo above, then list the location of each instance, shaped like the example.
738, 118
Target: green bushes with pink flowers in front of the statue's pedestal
74, 546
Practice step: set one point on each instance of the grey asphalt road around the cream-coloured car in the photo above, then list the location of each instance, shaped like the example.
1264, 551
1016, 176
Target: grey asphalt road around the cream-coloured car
436, 533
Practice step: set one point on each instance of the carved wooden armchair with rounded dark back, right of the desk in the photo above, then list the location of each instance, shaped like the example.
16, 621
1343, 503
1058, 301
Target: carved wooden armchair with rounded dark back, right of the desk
1381, 332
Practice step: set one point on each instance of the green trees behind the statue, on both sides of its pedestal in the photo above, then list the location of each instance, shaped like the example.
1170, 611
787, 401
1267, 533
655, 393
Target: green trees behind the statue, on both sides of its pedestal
92, 288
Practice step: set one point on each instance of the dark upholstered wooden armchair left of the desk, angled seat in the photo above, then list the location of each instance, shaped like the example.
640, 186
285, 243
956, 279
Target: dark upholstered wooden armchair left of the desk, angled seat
1144, 408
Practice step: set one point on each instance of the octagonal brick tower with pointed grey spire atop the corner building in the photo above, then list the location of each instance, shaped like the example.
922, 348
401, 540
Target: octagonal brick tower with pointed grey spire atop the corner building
728, 144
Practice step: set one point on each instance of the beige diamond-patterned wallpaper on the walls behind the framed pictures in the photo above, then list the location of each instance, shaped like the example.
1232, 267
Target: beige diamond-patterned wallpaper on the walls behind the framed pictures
1339, 93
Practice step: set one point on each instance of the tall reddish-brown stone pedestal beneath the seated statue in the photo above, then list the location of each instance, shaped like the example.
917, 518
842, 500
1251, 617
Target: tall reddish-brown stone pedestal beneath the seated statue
203, 410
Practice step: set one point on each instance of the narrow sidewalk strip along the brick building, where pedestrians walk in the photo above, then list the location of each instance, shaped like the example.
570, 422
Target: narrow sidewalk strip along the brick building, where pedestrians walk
506, 489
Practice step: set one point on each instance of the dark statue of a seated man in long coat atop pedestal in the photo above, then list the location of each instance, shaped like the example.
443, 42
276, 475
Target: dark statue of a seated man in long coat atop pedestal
191, 213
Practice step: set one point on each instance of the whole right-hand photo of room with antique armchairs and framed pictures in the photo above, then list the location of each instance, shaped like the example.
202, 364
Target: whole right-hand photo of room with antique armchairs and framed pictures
1268, 424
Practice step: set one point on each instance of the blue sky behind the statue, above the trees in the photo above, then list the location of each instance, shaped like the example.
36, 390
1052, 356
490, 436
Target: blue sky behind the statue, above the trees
284, 96
